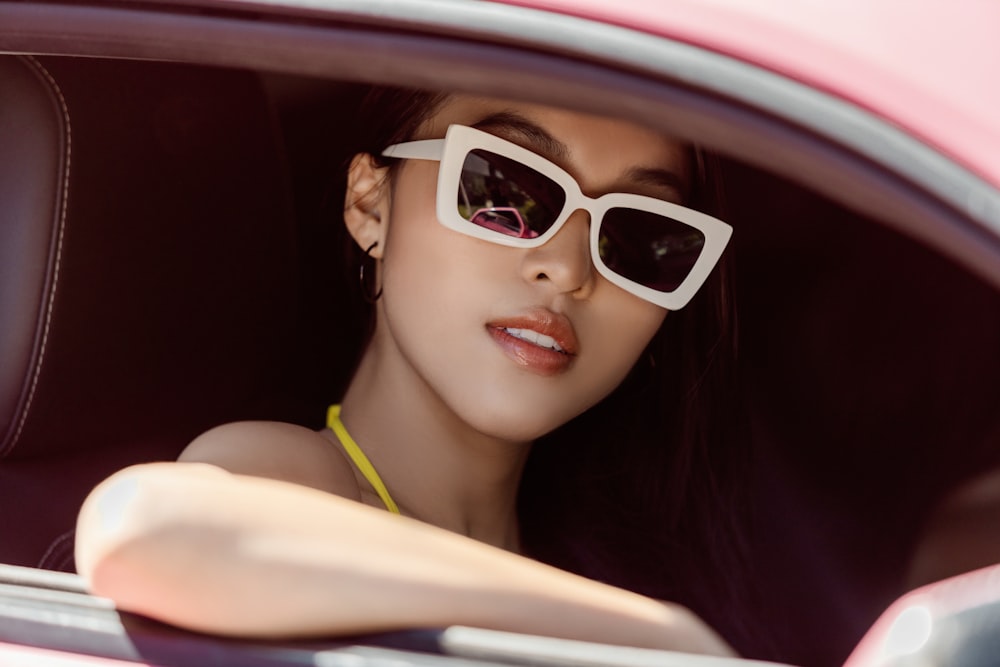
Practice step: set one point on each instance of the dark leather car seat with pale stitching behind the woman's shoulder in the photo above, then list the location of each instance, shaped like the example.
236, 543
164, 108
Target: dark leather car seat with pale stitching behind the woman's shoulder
147, 276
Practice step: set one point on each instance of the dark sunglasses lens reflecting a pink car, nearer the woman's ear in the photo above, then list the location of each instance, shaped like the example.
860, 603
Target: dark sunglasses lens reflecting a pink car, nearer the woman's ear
501, 194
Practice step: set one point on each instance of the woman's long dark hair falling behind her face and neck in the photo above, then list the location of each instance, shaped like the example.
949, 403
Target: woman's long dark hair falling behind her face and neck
641, 491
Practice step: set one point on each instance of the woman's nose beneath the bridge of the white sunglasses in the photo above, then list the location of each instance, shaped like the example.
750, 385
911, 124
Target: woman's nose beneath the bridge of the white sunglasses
563, 264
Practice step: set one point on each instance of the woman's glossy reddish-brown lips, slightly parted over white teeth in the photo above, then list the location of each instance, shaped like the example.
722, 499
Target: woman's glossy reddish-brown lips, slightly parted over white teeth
540, 341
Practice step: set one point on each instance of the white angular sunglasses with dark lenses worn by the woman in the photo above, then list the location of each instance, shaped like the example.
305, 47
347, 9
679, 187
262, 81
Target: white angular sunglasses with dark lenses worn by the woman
495, 190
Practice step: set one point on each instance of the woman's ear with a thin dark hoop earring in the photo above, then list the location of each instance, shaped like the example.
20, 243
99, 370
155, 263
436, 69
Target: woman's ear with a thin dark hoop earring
366, 205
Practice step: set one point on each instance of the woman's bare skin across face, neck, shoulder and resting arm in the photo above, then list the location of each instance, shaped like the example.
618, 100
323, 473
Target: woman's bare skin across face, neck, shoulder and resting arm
446, 402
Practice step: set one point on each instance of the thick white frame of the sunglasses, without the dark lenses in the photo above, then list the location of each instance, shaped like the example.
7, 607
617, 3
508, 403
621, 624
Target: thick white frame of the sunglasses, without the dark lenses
460, 140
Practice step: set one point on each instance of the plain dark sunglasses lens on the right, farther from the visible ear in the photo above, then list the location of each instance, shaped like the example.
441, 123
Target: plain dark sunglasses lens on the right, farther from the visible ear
648, 248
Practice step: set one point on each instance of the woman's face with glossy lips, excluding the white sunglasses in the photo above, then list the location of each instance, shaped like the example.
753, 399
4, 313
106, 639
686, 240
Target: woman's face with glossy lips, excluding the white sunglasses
474, 323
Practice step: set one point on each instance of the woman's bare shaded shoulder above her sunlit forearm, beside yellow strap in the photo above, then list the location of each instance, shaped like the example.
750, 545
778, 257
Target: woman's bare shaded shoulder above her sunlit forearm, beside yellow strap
277, 450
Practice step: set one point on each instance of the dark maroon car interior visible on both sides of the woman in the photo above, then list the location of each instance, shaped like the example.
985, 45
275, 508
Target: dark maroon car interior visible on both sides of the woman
166, 266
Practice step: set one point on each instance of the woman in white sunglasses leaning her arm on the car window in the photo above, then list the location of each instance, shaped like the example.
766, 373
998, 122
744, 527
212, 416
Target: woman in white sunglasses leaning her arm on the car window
510, 392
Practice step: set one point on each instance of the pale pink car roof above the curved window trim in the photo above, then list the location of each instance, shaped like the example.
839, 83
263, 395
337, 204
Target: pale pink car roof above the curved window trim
927, 66
